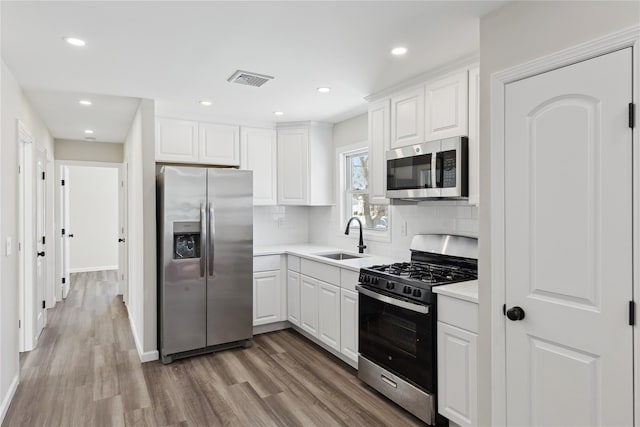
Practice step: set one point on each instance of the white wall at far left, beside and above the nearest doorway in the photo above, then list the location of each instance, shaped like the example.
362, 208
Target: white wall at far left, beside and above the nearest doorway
14, 106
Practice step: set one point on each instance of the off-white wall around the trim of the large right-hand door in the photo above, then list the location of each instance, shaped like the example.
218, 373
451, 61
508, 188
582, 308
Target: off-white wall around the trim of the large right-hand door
516, 33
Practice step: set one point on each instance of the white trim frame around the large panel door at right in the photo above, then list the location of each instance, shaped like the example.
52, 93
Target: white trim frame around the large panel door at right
628, 37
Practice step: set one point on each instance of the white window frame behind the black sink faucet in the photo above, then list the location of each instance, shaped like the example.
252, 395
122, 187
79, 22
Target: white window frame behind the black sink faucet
346, 193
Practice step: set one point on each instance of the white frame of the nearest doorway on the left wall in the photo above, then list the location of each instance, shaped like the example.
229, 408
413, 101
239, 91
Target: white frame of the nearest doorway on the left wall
26, 262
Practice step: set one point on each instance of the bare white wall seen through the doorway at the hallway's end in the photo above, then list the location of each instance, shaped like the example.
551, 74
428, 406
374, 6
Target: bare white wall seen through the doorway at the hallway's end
93, 203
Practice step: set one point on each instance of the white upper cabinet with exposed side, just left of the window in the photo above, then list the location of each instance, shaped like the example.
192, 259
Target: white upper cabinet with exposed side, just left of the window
305, 164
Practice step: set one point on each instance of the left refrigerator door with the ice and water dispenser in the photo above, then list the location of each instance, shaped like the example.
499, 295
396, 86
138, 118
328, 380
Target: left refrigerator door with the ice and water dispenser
182, 212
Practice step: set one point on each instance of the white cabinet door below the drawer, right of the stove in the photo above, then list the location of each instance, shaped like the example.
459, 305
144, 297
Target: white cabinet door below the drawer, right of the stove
457, 374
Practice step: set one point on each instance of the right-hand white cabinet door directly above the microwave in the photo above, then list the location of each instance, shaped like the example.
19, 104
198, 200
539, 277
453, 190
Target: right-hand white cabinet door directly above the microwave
446, 107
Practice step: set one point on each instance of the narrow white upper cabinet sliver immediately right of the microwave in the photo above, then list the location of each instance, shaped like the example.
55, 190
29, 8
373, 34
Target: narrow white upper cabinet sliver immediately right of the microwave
474, 136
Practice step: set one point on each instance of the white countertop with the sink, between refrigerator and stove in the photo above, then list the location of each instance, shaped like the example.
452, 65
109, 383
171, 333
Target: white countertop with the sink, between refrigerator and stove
311, 251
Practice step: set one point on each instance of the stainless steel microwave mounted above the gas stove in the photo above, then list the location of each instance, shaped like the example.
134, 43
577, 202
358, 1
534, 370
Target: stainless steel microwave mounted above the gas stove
436, 169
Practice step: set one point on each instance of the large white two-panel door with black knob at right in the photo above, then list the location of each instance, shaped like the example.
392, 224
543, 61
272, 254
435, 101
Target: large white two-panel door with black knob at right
568, 228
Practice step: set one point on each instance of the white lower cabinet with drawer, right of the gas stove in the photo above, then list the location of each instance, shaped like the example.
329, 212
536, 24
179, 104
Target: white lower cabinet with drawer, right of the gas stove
457, 361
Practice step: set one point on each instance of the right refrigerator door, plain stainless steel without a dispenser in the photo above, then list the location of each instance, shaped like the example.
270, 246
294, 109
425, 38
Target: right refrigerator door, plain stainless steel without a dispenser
230, 252
